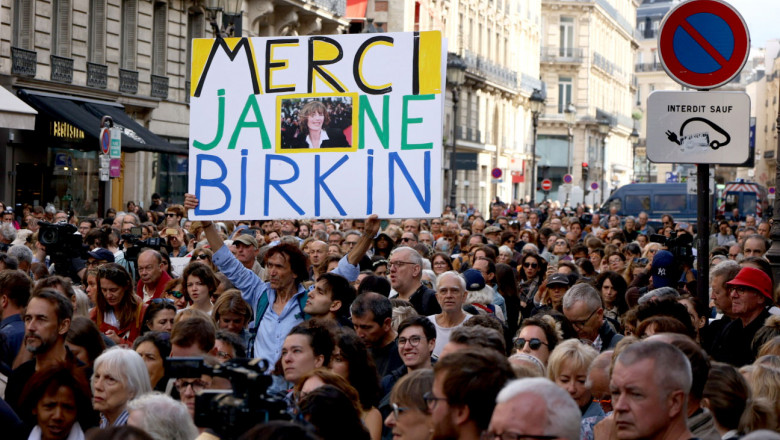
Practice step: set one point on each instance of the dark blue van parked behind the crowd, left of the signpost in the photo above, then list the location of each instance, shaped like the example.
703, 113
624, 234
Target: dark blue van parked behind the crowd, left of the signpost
656, 199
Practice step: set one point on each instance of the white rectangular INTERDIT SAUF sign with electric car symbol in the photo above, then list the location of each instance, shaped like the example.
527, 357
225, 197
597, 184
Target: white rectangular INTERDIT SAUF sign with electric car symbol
698, 127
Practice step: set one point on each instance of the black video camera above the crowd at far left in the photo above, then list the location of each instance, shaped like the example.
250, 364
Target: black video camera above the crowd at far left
62, 244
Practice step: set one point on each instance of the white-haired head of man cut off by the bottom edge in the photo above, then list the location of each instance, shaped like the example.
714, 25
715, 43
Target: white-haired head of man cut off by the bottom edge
533, 409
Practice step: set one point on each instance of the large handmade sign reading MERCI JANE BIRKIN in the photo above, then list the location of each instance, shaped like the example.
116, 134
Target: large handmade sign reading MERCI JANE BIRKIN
341, 126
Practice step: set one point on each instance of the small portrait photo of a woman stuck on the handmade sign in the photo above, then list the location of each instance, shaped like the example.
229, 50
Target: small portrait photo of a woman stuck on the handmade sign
315, 129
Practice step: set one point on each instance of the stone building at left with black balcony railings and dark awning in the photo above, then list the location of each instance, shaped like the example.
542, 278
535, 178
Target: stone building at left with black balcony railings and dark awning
75, 61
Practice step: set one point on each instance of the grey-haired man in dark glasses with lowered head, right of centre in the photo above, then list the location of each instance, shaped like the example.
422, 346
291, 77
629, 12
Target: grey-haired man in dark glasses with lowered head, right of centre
584, 308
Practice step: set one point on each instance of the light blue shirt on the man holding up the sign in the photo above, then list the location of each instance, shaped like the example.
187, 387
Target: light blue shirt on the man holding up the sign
273, 327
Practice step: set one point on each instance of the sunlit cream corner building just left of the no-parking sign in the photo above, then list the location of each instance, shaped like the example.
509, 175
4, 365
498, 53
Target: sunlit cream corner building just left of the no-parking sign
587, 62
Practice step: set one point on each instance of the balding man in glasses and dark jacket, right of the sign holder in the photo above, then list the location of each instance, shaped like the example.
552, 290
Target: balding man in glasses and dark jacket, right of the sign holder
406, 266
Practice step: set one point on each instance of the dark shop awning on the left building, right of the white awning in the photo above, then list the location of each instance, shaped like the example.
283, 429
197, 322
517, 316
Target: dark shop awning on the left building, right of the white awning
85, 115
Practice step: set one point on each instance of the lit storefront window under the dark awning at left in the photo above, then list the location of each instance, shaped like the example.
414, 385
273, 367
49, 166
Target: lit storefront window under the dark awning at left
73, 184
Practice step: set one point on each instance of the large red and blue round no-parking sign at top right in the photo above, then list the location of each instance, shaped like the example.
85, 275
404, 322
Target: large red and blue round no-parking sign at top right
703, 44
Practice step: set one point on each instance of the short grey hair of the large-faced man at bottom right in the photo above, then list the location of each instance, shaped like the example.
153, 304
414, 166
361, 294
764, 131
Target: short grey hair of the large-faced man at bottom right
672, 369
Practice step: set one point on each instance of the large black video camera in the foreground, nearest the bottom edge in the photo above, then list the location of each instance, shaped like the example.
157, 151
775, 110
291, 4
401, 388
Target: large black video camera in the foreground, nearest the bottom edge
230, 413
